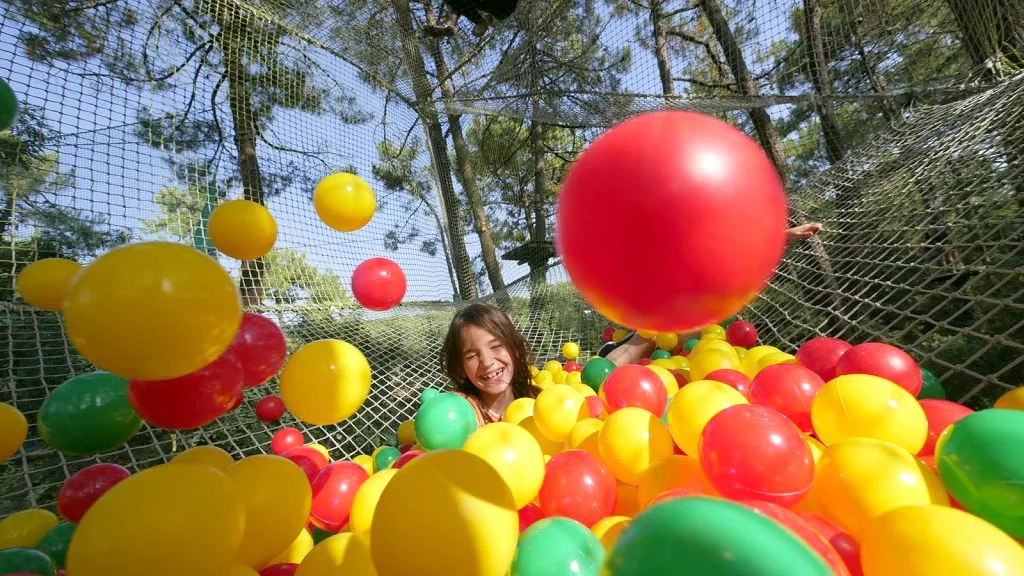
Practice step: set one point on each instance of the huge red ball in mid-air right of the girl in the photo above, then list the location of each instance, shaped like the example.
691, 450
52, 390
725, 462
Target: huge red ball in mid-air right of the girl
709, 185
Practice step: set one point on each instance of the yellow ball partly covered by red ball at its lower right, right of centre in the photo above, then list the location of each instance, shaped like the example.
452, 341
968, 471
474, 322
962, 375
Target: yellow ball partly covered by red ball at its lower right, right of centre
694, 405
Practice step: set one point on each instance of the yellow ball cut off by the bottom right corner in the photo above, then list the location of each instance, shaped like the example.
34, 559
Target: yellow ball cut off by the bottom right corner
940, 542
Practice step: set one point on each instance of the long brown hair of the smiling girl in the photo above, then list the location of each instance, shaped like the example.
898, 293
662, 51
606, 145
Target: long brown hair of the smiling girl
498, 324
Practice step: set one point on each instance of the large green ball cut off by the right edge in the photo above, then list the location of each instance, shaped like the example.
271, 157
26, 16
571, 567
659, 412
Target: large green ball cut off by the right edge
979, 461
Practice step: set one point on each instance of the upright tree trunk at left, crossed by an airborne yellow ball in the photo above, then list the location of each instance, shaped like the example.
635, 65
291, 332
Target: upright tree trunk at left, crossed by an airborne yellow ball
243, 119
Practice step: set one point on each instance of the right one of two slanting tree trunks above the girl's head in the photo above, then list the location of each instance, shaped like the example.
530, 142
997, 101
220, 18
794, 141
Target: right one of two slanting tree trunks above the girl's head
482, 224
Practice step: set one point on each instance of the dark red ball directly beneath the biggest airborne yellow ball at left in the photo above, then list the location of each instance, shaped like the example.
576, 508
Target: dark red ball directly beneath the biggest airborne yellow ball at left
191, 401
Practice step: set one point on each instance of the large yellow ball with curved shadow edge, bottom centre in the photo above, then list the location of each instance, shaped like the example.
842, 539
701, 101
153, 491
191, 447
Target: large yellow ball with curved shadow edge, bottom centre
448, 512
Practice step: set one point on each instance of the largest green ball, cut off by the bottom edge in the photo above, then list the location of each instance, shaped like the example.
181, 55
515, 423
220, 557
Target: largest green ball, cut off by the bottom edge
710, 537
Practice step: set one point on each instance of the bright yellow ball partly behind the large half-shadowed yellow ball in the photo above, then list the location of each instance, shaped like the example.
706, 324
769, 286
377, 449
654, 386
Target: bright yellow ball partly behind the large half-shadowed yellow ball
517, 457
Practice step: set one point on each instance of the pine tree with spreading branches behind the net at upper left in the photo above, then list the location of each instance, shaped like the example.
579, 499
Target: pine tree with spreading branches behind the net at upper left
237, 54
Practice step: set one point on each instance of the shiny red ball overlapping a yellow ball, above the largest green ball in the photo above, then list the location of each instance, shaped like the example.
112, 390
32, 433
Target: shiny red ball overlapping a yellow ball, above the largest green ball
751, 451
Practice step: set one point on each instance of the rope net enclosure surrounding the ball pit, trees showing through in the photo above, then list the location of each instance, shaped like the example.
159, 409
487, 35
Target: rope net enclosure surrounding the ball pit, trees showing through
898, 125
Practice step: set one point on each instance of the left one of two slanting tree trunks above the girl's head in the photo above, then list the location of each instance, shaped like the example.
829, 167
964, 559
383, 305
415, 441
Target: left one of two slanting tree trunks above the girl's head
439, 150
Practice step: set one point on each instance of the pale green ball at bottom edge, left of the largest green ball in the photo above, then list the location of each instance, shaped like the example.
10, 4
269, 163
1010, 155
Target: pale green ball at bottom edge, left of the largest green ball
559, 546
